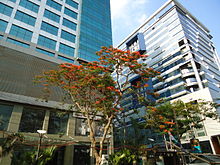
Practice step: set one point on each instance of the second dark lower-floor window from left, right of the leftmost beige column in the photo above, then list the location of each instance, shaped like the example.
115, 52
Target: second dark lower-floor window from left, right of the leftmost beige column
31, 120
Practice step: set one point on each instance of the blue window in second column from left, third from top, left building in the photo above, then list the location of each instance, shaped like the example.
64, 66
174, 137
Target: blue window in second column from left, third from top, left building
21, 33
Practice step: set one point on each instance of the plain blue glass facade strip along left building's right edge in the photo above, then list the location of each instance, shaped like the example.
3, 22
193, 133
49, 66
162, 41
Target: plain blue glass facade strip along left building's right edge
95, 28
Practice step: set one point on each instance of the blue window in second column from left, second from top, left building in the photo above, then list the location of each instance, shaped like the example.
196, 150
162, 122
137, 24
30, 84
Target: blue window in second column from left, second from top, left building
25, 18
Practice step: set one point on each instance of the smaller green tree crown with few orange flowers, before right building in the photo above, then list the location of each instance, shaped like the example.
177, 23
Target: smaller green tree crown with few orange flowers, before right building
179, 117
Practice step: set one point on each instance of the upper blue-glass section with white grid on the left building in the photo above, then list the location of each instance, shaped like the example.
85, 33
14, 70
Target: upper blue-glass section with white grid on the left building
66, 30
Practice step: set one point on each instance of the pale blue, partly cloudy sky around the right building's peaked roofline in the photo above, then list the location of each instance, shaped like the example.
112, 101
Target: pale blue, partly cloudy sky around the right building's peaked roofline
127, 15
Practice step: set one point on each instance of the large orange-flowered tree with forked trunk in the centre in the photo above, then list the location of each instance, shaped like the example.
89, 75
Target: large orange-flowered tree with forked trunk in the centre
92, 90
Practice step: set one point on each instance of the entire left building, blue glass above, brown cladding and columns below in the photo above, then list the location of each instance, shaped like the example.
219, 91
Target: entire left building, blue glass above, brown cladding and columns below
35, 36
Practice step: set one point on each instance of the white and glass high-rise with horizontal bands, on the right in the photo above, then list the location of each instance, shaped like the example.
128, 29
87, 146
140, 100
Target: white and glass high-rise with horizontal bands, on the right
180, 47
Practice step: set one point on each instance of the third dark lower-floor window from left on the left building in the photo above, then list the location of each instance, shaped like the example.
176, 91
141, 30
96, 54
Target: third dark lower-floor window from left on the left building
57, 123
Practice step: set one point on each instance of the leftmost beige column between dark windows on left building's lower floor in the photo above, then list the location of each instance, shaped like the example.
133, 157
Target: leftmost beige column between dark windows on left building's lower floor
14, 122
